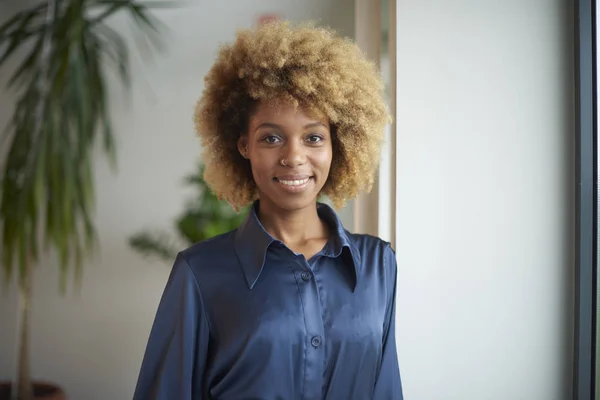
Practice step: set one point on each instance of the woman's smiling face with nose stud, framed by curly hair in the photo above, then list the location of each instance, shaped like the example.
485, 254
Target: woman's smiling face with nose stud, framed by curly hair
290, 155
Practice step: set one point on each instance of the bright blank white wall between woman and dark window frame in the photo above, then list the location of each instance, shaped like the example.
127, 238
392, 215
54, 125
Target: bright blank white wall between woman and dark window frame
485, 188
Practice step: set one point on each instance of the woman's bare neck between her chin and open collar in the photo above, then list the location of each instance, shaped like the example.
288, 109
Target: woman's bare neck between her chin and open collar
292, 227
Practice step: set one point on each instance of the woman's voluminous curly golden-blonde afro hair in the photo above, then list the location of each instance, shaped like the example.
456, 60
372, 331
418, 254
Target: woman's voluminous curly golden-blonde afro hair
309, 67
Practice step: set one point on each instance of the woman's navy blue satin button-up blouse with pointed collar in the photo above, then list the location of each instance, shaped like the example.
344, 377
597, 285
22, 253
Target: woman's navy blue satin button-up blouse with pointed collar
243, 317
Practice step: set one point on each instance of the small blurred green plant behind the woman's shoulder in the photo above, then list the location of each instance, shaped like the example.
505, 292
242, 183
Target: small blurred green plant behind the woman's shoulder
205, 216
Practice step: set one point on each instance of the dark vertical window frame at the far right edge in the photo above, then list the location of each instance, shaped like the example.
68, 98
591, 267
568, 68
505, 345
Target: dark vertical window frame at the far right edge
586, 272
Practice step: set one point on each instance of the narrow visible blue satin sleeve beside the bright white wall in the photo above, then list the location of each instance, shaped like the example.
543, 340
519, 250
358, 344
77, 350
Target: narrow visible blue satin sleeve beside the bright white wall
388, 385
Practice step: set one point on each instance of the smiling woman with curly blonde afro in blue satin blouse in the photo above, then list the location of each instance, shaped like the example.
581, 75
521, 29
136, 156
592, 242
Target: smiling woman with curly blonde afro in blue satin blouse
290, 305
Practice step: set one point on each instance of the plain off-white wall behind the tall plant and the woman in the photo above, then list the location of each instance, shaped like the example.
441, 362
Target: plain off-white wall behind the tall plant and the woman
92, 343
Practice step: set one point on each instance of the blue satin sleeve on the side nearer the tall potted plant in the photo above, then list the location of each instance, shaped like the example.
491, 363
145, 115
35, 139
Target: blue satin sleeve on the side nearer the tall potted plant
174, 361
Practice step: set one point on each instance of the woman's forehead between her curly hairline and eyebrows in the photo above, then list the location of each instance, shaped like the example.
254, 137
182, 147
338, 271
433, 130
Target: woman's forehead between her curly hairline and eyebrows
285, 112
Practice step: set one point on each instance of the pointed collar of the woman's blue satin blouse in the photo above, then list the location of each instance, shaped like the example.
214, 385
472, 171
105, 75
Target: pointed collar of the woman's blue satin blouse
252, 242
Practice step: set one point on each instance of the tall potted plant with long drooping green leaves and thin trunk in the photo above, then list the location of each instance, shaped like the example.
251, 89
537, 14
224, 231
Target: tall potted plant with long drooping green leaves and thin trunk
64, 48
